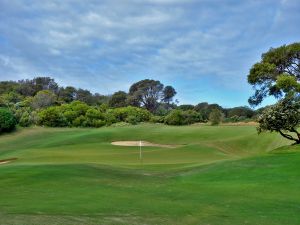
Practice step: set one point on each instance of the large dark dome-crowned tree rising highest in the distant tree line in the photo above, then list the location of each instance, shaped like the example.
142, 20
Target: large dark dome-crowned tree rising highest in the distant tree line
146, 93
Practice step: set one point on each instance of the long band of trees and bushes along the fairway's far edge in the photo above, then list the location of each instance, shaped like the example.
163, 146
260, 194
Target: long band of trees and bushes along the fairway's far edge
41, 101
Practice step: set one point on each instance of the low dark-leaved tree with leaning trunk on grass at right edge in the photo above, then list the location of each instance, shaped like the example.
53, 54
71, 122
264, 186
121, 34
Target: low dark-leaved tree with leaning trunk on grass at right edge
283, 117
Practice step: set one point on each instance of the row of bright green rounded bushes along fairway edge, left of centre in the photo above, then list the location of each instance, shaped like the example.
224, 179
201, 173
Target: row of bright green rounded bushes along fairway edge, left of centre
79, 114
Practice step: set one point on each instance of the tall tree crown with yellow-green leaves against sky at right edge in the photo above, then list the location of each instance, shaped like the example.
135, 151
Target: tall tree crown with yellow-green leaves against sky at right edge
276, 74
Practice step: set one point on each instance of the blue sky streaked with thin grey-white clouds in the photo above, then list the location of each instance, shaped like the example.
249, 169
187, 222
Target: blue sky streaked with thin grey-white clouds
203, 48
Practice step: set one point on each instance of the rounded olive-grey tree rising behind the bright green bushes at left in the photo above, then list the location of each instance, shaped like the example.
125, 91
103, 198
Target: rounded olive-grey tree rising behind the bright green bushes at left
43, 99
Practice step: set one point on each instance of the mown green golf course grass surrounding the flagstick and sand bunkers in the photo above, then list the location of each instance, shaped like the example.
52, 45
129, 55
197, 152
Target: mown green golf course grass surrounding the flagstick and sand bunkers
218, 175
